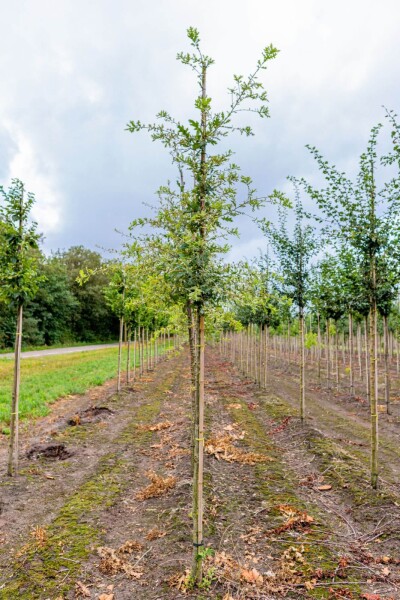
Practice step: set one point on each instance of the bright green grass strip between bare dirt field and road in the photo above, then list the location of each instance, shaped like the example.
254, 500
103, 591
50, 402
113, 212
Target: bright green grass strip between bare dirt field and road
47, 378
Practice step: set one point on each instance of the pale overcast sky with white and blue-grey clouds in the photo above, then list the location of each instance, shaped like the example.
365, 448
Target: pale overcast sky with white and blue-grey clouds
73, 73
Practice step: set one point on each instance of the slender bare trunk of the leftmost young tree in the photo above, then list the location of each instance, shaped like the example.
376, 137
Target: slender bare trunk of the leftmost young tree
14, 418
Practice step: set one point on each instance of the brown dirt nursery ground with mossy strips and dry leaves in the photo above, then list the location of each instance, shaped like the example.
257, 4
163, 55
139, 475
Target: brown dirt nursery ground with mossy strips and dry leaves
289, 511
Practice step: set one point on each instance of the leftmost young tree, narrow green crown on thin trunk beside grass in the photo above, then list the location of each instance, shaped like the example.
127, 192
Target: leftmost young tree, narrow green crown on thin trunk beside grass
19, 273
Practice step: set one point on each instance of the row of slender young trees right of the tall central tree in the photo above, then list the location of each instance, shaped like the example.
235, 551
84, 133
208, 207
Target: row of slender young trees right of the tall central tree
345, 267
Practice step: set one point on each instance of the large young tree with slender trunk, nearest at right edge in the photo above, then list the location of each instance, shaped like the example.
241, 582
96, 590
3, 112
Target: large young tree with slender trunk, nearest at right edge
367, 219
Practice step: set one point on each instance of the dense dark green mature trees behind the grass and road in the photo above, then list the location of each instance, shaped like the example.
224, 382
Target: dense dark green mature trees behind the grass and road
62, 311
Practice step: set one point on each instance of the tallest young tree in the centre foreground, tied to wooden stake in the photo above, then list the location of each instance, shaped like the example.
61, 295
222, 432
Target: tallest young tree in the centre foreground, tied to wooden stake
193, 217
